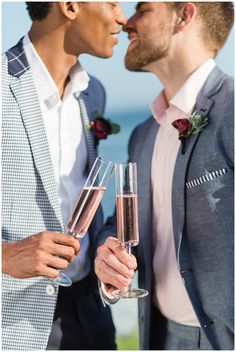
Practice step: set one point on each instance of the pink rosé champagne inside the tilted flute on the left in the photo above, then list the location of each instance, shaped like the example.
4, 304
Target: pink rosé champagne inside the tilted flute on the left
84, 211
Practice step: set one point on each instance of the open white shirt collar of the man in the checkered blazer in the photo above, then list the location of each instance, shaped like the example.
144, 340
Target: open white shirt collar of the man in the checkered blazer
46, 88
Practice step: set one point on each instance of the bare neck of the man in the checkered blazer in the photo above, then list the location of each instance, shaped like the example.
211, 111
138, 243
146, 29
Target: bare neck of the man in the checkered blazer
48, 38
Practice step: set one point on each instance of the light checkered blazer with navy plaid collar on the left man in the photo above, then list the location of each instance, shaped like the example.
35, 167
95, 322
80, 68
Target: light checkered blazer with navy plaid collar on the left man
29, 196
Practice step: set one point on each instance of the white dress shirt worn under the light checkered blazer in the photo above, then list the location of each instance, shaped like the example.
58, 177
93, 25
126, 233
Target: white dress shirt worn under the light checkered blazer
66, 140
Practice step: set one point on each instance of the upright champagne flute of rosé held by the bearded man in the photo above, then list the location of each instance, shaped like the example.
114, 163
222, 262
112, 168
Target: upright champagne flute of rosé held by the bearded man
127, 217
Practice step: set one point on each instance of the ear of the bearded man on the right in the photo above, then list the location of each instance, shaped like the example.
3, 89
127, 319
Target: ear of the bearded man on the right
185, 16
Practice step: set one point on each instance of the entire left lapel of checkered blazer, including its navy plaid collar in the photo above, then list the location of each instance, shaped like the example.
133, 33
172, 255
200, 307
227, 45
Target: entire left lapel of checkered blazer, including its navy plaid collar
23, 88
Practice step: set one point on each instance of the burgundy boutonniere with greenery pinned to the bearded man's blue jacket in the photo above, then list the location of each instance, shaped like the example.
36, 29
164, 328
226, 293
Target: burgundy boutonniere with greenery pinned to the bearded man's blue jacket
186, 127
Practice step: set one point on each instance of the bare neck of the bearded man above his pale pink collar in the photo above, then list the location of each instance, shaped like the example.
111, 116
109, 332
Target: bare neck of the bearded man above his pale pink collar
186, 54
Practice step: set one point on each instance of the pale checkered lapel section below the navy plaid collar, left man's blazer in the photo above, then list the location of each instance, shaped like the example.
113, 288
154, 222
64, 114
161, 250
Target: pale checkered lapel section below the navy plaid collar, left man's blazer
26, 96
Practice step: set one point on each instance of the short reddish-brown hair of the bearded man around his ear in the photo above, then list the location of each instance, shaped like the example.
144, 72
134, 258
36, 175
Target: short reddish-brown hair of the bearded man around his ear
217, 19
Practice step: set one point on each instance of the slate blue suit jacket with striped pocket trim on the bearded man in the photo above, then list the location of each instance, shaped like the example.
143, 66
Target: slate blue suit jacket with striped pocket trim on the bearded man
202, 207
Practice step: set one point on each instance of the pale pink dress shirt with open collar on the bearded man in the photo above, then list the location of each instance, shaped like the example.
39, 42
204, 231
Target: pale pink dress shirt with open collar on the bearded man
170, 294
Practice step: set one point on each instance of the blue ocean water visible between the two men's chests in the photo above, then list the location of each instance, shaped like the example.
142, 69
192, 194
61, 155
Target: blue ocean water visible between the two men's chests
115, 148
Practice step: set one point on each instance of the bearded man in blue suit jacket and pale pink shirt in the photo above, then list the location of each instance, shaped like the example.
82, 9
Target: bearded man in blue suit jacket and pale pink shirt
185, 162
